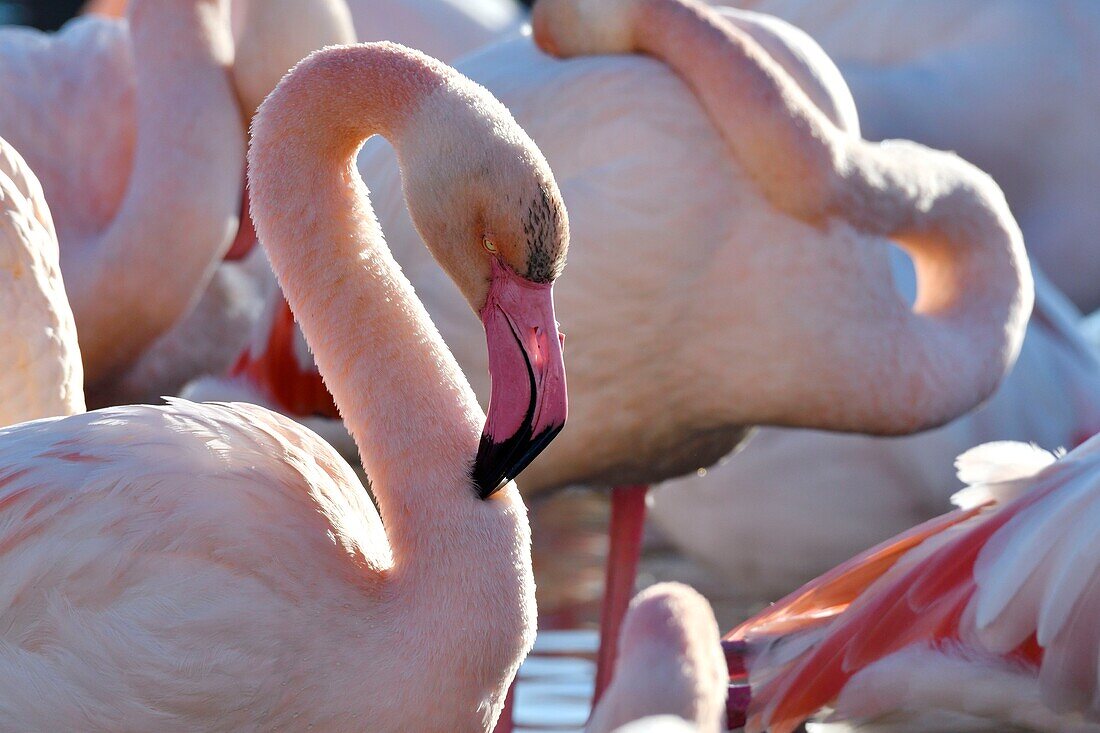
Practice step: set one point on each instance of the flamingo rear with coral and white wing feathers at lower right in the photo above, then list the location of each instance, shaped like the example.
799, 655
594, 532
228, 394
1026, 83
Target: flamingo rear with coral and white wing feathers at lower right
982, 620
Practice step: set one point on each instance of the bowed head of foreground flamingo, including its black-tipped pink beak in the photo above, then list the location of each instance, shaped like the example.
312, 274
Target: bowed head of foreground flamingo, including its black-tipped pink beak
494, 220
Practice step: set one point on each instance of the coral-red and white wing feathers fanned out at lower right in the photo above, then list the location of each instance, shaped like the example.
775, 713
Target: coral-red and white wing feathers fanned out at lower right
1005, 582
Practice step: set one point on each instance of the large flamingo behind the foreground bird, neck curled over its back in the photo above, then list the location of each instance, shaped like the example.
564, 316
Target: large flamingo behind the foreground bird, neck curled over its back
806, 332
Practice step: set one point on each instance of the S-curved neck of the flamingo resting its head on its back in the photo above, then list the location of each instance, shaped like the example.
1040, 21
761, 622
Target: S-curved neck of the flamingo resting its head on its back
975, 287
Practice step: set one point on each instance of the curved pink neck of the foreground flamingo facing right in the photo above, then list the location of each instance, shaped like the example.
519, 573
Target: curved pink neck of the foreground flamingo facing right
402, 395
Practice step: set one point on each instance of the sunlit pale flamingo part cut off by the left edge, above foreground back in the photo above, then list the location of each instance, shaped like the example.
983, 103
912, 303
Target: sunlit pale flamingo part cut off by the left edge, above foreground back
42, 376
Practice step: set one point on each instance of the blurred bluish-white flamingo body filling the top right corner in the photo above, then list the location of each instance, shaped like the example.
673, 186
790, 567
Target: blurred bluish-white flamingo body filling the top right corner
977, 78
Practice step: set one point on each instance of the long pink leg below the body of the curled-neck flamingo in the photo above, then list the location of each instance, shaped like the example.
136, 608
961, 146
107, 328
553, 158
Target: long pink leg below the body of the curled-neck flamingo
629, 519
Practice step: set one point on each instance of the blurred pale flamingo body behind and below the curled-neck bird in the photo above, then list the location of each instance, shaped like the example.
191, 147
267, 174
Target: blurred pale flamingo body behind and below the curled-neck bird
766, 523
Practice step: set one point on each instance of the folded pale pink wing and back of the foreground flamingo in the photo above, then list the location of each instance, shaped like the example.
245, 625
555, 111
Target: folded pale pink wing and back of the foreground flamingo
158, 554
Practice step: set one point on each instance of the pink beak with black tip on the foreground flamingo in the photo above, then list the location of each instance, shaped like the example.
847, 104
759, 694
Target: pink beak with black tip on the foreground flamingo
527, 404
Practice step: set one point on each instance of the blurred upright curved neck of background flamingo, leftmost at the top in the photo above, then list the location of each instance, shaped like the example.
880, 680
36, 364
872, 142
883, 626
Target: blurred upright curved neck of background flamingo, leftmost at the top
180, 209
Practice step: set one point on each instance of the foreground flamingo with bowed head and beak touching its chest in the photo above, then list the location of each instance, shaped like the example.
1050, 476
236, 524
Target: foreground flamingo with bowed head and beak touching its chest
217, 567
